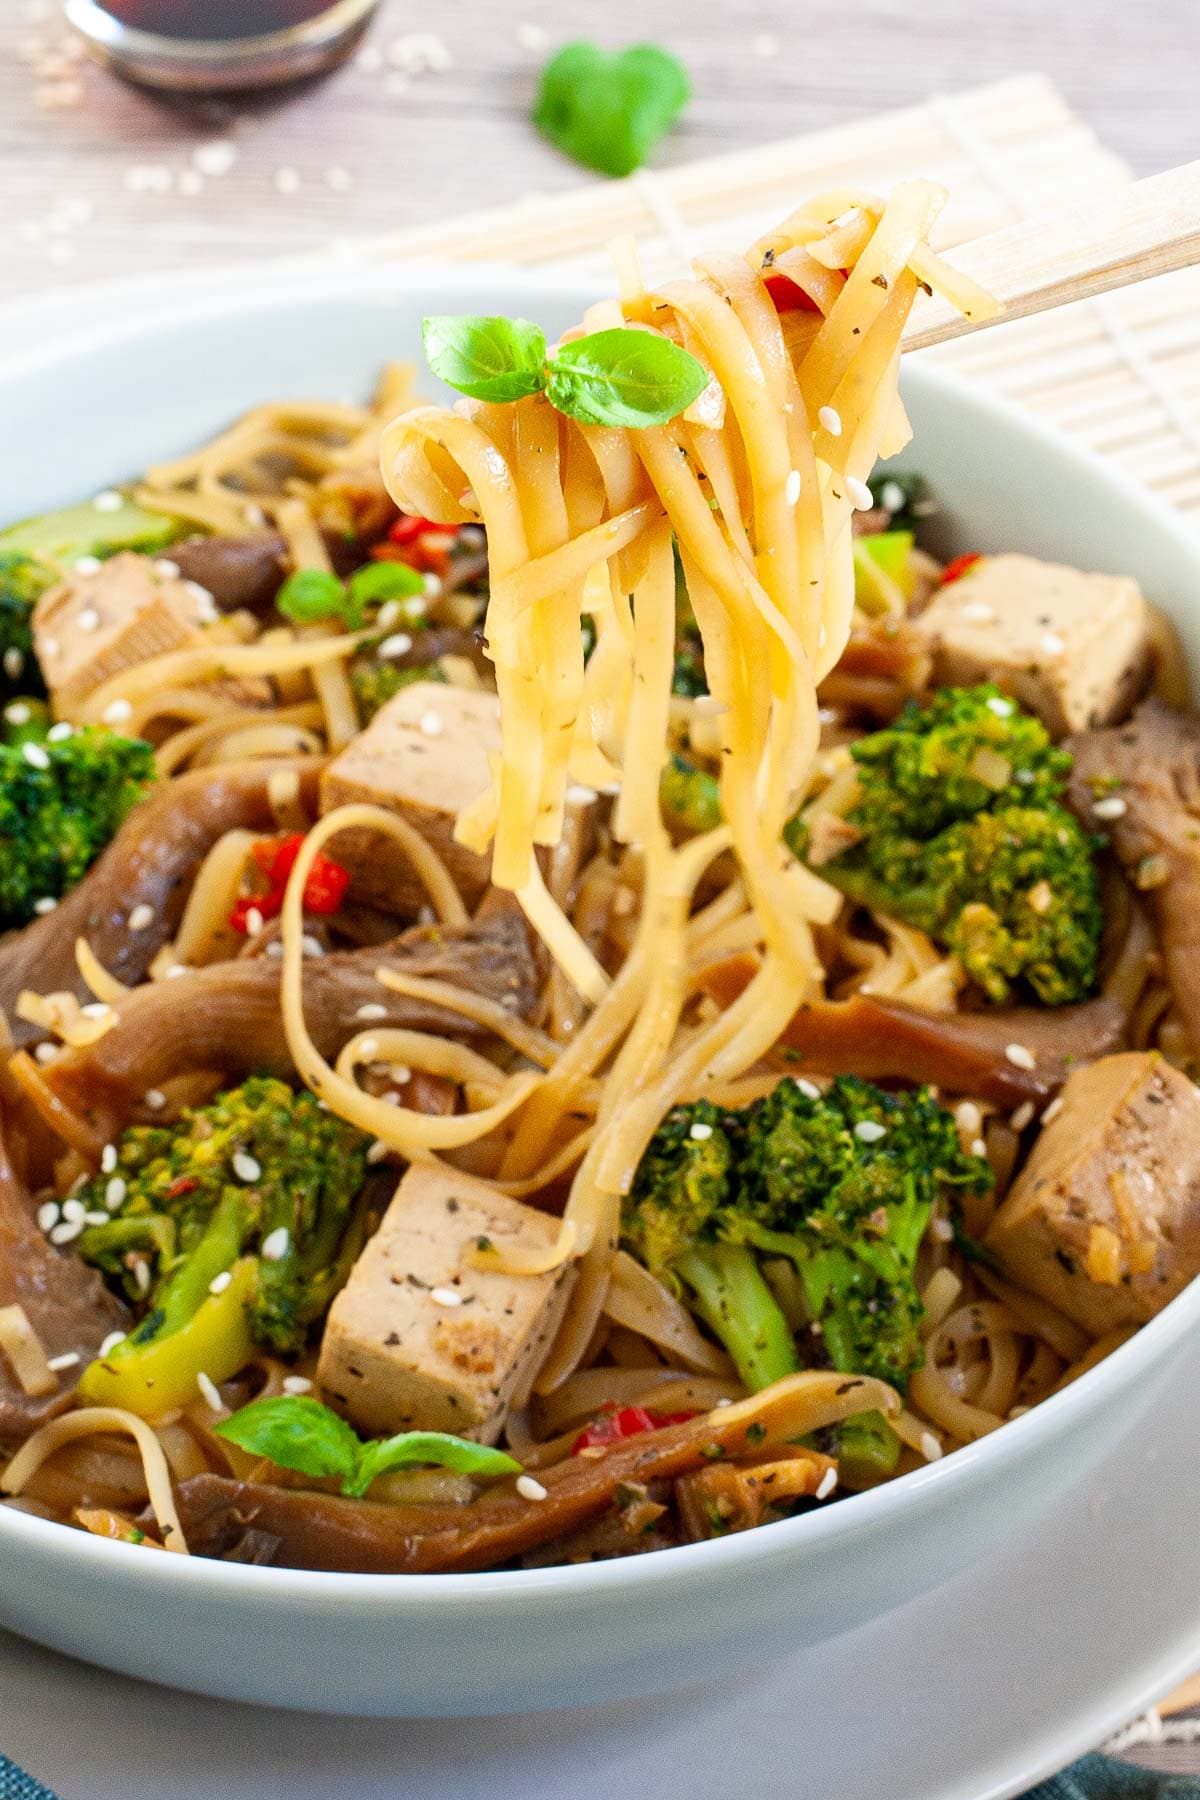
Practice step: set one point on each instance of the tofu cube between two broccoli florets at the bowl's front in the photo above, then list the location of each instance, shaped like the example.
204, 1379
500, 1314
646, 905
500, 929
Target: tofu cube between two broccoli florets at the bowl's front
400, 1354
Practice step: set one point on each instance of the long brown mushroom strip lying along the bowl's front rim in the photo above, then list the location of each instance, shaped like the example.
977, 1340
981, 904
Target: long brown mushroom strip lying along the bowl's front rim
327, 1533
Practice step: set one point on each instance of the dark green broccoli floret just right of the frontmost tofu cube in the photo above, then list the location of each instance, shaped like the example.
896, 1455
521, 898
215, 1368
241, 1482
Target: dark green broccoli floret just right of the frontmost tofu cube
839, 1183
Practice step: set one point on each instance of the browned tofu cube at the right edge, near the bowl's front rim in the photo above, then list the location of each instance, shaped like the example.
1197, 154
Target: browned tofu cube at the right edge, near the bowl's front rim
1104, 1219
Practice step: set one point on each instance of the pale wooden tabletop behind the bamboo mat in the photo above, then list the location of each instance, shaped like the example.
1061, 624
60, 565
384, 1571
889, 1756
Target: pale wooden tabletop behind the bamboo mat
100, 179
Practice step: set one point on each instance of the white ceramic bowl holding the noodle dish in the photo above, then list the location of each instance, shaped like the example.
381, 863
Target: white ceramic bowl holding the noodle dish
96, 408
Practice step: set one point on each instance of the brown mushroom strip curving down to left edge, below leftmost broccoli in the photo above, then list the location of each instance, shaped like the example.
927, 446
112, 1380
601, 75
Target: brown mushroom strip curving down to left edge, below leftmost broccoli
150, 863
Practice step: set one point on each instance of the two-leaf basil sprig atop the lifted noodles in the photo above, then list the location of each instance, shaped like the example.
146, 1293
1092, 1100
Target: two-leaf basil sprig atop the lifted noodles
620, 377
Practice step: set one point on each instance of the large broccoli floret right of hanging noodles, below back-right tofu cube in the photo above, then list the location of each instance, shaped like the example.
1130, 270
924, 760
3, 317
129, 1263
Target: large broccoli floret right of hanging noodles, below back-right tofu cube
963, 834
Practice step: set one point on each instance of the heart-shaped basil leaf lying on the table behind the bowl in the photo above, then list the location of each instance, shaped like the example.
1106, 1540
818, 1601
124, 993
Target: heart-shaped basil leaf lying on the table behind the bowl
609, 112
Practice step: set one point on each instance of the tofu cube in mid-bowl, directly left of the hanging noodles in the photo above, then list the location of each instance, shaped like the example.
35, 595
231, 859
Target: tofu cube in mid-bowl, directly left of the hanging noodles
425, 757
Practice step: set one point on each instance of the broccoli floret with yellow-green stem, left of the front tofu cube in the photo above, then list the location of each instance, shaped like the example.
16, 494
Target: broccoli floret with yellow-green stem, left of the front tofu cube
258, 1173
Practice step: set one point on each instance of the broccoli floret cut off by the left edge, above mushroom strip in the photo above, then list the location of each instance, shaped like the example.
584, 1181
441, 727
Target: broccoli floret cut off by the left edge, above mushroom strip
60, 805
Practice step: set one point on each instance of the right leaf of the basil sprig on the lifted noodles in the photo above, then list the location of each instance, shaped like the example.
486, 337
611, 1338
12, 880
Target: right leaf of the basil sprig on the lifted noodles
623, 377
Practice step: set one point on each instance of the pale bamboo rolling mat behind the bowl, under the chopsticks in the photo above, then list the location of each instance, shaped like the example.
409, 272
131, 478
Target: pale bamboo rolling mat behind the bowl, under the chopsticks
1122, 373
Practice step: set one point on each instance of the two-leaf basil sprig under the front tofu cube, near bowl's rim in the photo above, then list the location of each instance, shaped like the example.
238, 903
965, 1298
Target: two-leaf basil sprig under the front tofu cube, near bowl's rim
300, 1434
